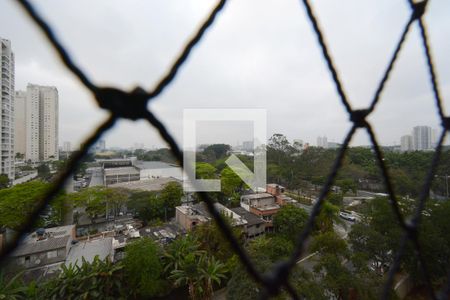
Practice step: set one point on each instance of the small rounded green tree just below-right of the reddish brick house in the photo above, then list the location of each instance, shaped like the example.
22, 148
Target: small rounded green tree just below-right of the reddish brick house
289, 221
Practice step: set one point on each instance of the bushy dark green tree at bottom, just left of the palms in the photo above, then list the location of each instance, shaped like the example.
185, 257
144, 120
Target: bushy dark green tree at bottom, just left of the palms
144, 269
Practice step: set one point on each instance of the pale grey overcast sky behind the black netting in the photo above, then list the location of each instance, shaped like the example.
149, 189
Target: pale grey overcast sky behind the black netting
258, 54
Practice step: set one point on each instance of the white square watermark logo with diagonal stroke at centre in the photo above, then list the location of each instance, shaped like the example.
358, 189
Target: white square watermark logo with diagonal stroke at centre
255, 179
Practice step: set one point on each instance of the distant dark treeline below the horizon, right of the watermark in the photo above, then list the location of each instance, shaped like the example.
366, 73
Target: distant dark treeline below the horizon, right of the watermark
291, 167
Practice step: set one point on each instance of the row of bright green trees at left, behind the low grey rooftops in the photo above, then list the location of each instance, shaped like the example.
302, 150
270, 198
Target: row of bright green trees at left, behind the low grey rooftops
18, 203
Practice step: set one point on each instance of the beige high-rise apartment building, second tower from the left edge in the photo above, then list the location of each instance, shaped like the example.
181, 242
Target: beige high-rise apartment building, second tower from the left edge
41, 122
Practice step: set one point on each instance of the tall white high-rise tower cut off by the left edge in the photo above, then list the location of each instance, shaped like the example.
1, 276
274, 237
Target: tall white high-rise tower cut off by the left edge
7, 106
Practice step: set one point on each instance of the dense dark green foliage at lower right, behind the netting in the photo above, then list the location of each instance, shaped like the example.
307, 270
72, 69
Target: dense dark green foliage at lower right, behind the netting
377, 238
